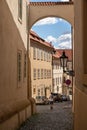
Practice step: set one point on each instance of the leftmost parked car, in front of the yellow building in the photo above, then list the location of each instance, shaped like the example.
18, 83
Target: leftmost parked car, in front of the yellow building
41, 100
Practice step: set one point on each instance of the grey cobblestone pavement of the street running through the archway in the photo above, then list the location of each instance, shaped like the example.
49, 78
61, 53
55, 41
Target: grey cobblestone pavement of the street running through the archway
60, 118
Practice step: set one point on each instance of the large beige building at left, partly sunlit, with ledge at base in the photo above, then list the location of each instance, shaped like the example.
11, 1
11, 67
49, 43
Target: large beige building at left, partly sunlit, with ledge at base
15, 103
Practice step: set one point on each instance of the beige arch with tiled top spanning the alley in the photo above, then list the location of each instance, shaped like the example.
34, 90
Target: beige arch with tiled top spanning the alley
39, 10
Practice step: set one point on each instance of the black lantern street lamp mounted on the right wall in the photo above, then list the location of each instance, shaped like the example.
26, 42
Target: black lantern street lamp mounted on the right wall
63, 60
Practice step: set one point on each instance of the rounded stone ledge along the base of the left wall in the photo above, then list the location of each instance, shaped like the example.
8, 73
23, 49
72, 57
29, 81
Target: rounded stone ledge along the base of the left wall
9, 110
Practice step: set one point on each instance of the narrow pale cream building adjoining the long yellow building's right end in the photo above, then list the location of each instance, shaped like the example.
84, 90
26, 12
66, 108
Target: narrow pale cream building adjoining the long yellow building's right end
57, 74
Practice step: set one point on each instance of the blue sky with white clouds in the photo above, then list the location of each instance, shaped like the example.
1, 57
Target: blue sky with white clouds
54, 30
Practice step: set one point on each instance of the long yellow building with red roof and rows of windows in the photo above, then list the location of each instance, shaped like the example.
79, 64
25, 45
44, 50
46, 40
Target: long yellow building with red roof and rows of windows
41, 66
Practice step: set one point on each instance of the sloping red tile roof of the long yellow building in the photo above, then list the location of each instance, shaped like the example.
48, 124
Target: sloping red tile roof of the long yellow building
34, 36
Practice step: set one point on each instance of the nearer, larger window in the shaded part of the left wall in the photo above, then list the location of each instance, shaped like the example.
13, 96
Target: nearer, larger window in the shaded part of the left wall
19, 58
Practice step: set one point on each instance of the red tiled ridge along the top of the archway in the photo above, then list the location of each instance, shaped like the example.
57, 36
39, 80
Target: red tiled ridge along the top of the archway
50, 3
